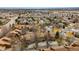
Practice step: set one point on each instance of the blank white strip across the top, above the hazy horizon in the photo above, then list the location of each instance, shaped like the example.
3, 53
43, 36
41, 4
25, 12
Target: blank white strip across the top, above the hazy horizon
39, 3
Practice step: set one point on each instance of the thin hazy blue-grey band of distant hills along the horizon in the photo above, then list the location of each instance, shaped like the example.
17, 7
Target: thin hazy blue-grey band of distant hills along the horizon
40, 8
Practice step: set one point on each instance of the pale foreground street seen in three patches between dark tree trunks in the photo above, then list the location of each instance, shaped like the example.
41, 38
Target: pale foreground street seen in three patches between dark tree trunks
42, 45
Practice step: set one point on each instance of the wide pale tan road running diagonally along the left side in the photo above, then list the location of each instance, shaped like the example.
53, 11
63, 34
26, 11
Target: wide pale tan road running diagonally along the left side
6, 28
